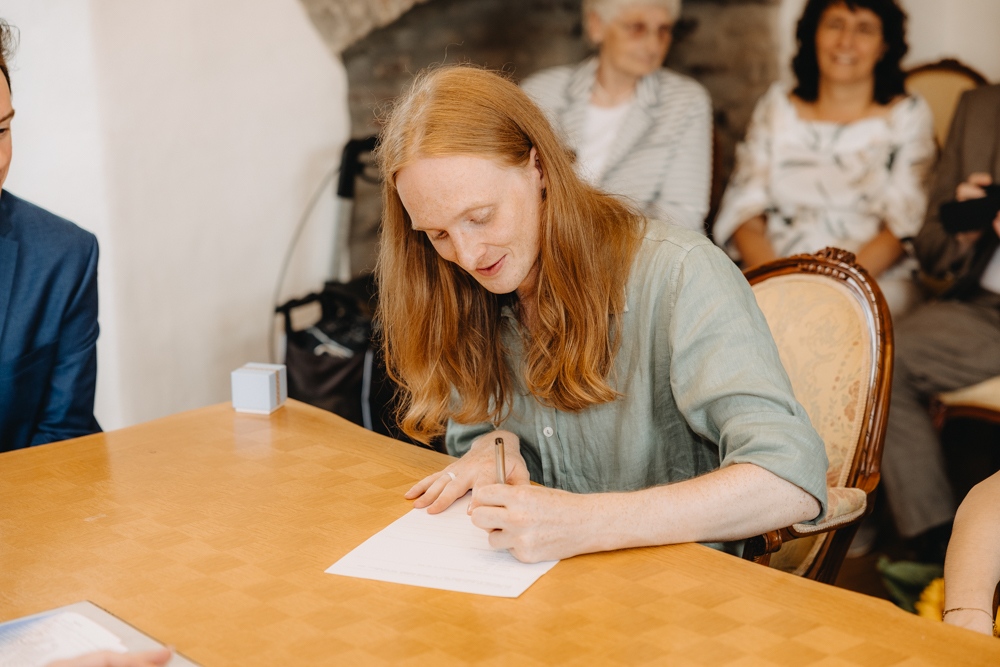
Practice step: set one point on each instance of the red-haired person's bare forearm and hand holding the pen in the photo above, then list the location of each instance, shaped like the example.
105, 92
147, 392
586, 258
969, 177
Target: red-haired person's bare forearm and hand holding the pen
538, 524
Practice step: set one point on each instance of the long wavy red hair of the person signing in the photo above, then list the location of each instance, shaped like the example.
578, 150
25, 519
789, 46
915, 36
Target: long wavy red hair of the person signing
443, 331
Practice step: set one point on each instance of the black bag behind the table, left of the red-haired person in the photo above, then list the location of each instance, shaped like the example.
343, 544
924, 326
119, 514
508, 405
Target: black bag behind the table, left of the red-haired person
335, 364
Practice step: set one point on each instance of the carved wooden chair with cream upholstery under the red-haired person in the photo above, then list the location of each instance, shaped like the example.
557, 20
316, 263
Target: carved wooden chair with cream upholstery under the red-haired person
833, 332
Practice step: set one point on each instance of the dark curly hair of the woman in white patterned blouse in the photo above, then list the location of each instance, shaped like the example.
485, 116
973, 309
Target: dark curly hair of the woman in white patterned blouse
889, 77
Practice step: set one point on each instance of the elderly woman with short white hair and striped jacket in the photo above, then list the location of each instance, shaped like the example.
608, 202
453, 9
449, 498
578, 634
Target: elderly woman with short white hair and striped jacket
638, 130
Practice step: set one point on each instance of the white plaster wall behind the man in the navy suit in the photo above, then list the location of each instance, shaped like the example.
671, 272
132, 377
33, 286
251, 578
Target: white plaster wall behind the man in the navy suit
203, 127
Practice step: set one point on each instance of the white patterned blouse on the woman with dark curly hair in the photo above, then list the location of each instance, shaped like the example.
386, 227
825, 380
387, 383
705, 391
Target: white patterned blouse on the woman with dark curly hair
828, 184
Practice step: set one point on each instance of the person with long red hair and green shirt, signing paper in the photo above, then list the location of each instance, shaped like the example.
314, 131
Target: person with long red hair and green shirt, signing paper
623, 362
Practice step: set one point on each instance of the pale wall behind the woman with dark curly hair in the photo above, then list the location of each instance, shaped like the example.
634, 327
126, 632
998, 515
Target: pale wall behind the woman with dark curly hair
968, 30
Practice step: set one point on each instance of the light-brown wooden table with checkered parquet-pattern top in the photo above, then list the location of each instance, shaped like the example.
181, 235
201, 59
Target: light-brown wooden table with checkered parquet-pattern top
210, 530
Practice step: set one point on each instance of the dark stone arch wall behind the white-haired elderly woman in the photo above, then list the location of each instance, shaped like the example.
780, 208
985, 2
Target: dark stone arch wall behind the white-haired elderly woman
730, 46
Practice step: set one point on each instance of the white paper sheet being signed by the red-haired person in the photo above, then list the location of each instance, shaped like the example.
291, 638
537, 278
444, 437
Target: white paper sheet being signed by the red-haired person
442, 551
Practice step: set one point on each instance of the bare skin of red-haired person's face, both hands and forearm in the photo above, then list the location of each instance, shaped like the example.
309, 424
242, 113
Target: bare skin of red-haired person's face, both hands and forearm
484, 216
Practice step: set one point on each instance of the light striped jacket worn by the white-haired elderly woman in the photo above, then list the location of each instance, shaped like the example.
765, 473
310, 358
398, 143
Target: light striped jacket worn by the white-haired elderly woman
662, 156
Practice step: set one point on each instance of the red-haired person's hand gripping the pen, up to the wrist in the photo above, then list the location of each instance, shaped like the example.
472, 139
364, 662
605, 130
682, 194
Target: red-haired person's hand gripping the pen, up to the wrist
537, 523
